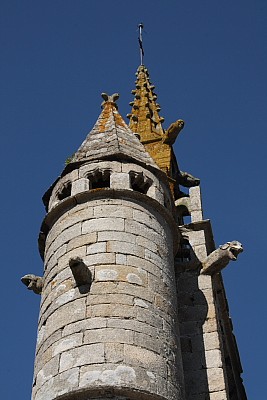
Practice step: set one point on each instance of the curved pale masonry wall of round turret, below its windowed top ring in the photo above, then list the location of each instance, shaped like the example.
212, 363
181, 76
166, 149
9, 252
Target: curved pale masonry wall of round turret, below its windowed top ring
123, 333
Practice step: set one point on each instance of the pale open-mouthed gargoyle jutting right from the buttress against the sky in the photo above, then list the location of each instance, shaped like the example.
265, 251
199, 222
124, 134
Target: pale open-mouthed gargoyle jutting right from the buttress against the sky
218, 259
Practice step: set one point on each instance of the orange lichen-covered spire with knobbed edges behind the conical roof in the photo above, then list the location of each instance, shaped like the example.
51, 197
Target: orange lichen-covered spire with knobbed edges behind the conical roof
144, 117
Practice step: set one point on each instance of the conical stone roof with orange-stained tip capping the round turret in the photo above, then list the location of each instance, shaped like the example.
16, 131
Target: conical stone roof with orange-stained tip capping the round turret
111, 137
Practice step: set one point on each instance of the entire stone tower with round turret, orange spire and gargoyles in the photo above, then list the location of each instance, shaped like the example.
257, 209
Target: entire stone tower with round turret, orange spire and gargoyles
132, 299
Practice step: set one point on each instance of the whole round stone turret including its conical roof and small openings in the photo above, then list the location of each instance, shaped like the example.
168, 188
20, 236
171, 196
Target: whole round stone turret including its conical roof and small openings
108, 328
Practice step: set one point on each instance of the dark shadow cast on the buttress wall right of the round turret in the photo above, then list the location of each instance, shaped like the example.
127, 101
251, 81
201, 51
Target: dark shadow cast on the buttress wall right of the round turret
192, 312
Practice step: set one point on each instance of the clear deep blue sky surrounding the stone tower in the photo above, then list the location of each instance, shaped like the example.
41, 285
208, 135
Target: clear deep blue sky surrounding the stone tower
208, 60
